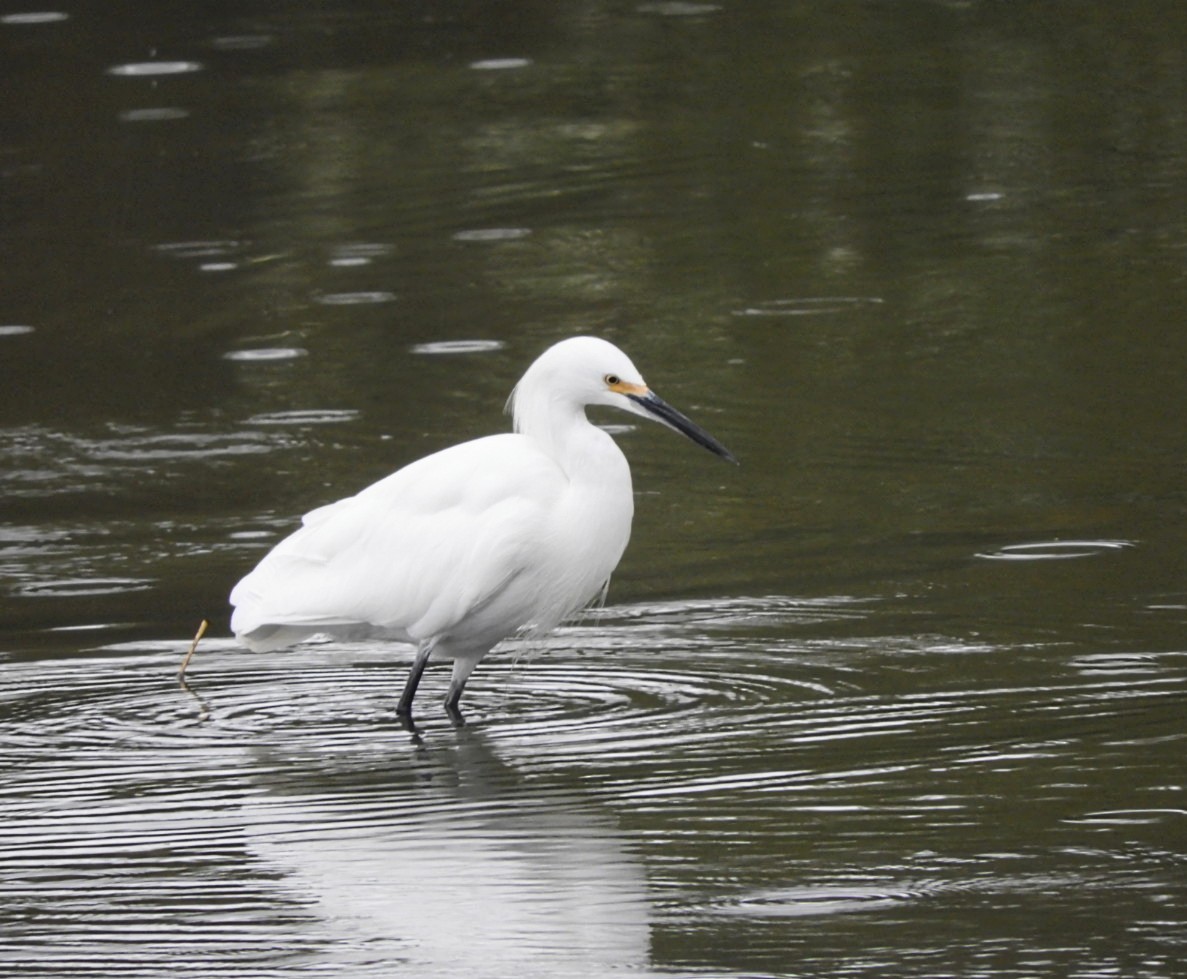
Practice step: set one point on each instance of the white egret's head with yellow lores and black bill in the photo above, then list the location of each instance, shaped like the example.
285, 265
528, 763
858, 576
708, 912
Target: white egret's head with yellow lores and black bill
587, 371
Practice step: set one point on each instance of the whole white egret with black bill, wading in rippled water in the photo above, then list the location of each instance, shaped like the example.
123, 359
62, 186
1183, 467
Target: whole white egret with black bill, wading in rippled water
502, 536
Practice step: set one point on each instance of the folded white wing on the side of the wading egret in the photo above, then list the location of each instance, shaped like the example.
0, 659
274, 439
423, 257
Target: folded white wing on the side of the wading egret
401, 558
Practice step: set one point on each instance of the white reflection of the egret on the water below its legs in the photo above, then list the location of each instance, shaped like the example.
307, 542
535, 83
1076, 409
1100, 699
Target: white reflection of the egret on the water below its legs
459, 875
